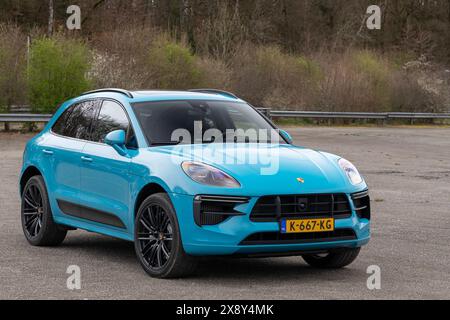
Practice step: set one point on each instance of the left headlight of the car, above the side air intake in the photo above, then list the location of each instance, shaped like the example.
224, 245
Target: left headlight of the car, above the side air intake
205, 174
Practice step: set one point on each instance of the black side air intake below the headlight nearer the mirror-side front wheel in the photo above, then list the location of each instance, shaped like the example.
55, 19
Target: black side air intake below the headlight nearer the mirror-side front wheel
212, 210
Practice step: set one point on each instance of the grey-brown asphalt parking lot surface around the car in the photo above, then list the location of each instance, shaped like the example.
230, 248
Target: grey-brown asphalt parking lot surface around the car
407, 169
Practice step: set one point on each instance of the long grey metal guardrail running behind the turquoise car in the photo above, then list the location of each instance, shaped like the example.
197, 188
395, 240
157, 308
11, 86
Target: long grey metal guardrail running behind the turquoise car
26, 117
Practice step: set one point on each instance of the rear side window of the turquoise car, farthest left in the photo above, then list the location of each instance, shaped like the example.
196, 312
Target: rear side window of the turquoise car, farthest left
76, 121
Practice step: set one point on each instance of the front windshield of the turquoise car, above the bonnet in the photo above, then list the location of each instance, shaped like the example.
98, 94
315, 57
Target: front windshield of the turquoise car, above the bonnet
200, 122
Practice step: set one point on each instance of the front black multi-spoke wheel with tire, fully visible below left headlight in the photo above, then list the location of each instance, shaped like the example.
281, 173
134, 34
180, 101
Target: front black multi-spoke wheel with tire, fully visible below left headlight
157, 240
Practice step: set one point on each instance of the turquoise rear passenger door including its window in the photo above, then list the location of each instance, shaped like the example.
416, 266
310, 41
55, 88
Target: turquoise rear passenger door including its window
62, 149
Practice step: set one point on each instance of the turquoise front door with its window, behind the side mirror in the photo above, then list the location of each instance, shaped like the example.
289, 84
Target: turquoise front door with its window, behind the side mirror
105, 178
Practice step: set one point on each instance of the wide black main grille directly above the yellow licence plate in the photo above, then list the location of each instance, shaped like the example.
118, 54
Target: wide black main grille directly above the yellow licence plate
274, 208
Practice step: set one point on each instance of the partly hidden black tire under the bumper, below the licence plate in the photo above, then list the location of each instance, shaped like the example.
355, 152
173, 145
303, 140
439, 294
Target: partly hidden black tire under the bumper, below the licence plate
334, 259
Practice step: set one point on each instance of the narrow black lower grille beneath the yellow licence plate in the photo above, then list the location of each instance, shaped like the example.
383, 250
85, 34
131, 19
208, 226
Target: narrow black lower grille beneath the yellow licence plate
269, 238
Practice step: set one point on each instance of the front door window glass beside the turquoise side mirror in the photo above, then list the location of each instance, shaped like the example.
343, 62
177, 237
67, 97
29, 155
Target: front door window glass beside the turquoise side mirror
111, 117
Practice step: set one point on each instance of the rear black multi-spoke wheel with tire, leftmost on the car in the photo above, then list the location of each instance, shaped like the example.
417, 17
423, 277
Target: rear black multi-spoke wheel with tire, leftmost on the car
38, 225
